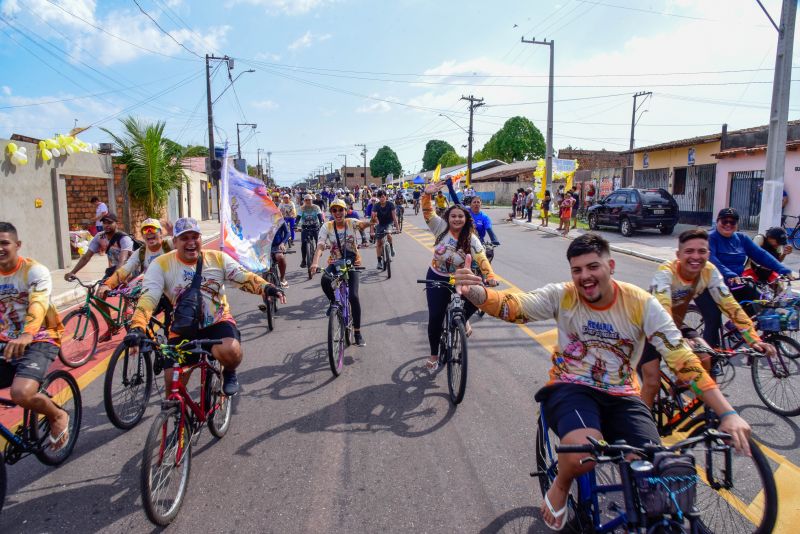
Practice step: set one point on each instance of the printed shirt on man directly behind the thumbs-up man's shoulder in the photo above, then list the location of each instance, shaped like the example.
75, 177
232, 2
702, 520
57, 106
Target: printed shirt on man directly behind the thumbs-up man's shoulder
675, 294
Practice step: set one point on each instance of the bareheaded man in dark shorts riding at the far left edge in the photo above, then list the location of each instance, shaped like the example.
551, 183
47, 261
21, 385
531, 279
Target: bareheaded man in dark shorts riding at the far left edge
30, 330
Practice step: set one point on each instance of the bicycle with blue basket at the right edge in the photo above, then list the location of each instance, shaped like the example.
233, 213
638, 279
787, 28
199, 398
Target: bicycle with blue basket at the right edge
776, 379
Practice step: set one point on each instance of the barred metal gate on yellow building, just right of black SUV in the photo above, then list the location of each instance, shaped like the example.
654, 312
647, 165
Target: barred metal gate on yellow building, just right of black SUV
693, 189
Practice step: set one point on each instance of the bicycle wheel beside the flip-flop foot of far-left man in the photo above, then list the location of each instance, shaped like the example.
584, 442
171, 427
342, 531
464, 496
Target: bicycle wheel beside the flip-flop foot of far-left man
63, 390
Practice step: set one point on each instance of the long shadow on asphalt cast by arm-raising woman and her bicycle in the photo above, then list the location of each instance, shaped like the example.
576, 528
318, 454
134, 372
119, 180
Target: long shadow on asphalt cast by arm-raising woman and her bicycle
409, 407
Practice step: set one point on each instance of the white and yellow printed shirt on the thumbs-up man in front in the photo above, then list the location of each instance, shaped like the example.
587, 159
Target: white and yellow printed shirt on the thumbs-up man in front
600, 348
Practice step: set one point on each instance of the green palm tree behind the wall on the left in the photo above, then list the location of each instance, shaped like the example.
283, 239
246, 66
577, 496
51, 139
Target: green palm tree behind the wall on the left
153, 162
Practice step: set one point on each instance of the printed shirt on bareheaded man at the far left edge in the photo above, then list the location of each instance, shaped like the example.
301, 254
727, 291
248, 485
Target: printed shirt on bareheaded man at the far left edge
25, 305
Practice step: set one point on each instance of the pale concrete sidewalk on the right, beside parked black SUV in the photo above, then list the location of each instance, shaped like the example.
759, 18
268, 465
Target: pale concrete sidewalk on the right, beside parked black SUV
646, 244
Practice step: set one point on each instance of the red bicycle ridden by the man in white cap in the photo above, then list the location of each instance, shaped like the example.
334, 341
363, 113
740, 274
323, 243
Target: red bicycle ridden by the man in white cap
167, 454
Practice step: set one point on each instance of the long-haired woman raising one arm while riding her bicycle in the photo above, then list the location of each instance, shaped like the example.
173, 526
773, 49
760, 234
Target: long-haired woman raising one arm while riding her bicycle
455, 239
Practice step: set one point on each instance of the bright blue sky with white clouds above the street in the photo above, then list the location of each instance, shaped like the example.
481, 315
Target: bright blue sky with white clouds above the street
330, 74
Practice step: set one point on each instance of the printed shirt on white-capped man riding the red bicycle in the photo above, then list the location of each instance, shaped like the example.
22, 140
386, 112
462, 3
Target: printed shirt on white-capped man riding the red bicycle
169, 276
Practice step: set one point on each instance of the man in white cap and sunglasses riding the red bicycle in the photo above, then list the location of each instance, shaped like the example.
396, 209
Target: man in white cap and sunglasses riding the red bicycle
172, 273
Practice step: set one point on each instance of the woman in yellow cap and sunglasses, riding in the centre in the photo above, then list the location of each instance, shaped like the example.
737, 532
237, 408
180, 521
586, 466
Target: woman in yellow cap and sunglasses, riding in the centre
341, 235
